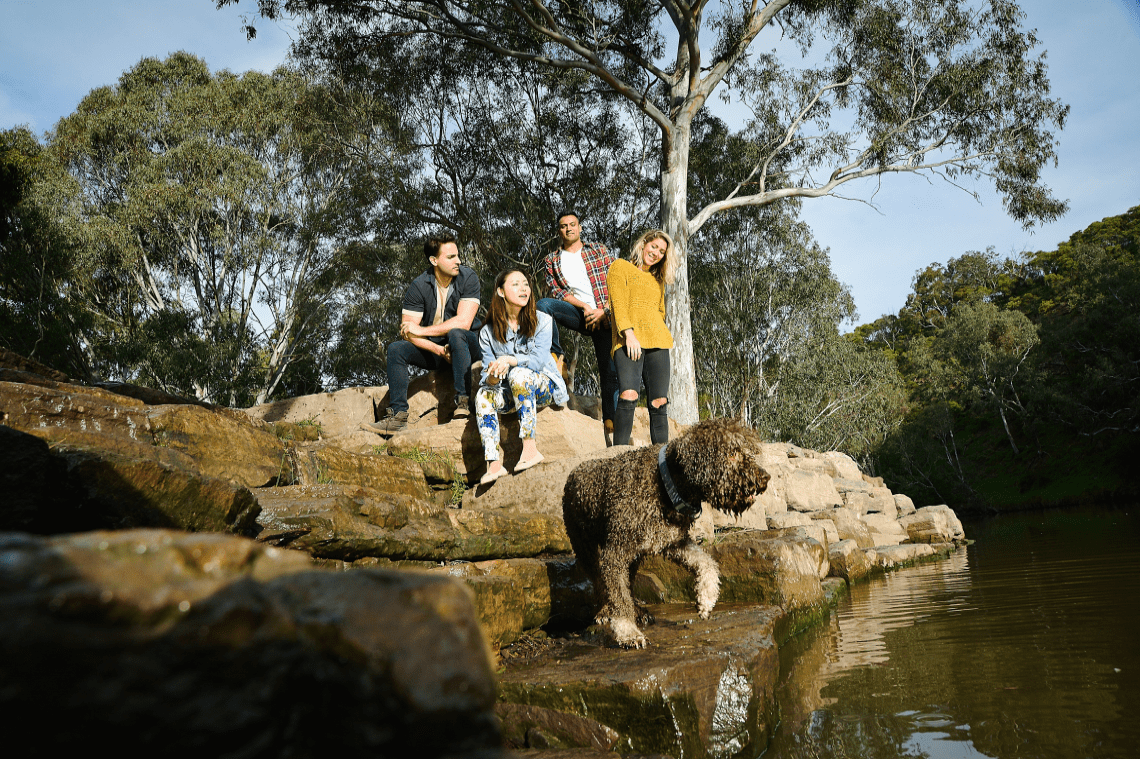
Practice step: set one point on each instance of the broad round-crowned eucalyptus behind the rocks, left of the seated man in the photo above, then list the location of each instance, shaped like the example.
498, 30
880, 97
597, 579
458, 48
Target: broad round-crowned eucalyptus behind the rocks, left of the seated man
223, 205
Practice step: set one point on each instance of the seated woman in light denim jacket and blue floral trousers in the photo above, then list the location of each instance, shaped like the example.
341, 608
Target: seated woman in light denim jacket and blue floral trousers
517, 349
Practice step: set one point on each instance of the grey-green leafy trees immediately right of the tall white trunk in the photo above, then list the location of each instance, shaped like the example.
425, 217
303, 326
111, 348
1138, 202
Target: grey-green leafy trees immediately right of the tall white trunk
769, 346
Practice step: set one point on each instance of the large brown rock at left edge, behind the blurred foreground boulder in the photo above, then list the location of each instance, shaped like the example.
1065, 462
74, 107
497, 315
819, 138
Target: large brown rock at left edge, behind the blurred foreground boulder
132, 466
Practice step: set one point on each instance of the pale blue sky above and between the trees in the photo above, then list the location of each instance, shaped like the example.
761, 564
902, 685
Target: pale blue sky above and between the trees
55, 52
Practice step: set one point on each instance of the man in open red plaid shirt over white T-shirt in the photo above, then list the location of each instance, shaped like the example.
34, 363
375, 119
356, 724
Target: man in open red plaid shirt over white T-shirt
580, 300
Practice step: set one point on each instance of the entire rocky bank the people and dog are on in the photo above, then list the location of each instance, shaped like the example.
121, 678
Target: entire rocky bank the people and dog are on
278, 583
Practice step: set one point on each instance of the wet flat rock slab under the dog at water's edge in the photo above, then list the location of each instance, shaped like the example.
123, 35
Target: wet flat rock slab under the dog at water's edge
702, 689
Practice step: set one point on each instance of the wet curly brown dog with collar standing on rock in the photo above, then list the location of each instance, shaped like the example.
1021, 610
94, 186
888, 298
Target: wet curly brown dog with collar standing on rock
621, 510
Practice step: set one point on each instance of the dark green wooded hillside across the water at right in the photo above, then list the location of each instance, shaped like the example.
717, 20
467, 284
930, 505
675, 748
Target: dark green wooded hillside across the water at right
1022, 376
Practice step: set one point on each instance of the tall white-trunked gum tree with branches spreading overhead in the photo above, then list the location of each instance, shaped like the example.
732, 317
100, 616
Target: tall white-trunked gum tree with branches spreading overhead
949, 88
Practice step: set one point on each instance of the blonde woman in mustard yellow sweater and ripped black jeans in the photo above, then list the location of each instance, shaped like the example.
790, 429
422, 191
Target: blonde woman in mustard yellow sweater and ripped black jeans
641, 340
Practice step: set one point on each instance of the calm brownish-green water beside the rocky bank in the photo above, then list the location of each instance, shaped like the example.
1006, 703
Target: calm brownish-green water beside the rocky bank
1024, 646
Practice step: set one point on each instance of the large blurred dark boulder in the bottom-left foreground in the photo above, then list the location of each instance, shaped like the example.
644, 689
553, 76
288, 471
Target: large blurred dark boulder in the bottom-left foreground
210, 646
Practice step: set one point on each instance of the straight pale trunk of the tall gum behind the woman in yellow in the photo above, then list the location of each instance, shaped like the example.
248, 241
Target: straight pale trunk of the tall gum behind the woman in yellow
675, 222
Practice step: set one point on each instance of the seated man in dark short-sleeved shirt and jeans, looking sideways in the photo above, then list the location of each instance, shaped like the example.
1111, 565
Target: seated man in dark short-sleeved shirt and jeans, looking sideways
438, 329
